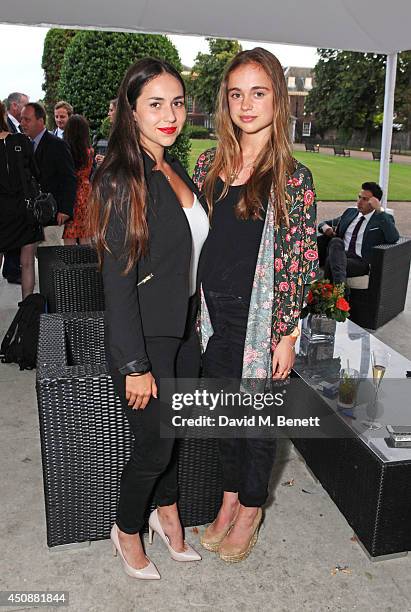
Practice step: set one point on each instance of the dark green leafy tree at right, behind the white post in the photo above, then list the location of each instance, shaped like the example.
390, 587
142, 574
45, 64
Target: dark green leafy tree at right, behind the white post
348, 91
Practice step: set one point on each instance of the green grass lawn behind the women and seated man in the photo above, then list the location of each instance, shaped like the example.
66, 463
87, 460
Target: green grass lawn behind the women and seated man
338, 178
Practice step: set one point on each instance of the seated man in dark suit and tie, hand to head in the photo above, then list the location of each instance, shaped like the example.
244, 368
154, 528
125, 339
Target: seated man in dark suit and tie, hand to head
356, 232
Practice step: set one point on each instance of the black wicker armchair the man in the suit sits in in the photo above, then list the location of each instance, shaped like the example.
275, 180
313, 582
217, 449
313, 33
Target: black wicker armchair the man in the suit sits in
380, 296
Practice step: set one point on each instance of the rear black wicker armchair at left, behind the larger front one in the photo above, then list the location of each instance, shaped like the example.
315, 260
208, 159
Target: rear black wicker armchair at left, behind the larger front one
69, 279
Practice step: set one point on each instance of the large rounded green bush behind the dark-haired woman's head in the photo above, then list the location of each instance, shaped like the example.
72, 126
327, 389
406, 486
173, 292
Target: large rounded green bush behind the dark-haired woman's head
94, 65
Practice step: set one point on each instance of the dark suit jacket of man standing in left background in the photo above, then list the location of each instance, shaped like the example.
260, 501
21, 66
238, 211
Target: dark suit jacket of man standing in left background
57, 173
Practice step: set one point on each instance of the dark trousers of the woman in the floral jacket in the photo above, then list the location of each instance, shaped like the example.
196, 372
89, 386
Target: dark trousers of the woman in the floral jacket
246, 462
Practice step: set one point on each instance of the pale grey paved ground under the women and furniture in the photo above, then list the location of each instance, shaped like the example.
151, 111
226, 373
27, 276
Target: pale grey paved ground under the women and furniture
303, 538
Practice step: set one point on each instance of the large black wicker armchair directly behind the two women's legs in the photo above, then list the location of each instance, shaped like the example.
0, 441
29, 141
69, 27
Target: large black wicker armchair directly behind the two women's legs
85, 439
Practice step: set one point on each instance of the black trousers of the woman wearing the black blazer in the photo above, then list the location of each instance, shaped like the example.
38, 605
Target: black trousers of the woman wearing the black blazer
153, 461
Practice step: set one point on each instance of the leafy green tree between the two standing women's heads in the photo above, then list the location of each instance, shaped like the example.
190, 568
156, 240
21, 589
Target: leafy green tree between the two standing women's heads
208, 70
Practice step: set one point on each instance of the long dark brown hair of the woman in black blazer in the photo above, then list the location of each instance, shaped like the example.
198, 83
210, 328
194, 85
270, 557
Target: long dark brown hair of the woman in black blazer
119, 182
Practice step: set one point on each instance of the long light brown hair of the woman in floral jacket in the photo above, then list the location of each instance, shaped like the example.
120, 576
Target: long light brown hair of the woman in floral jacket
275, 162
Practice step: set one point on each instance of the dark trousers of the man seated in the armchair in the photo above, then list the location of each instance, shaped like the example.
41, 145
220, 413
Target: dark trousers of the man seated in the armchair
339, 264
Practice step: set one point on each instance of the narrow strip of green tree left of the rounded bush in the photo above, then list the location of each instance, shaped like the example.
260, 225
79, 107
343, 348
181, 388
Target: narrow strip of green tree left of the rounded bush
55, 45
